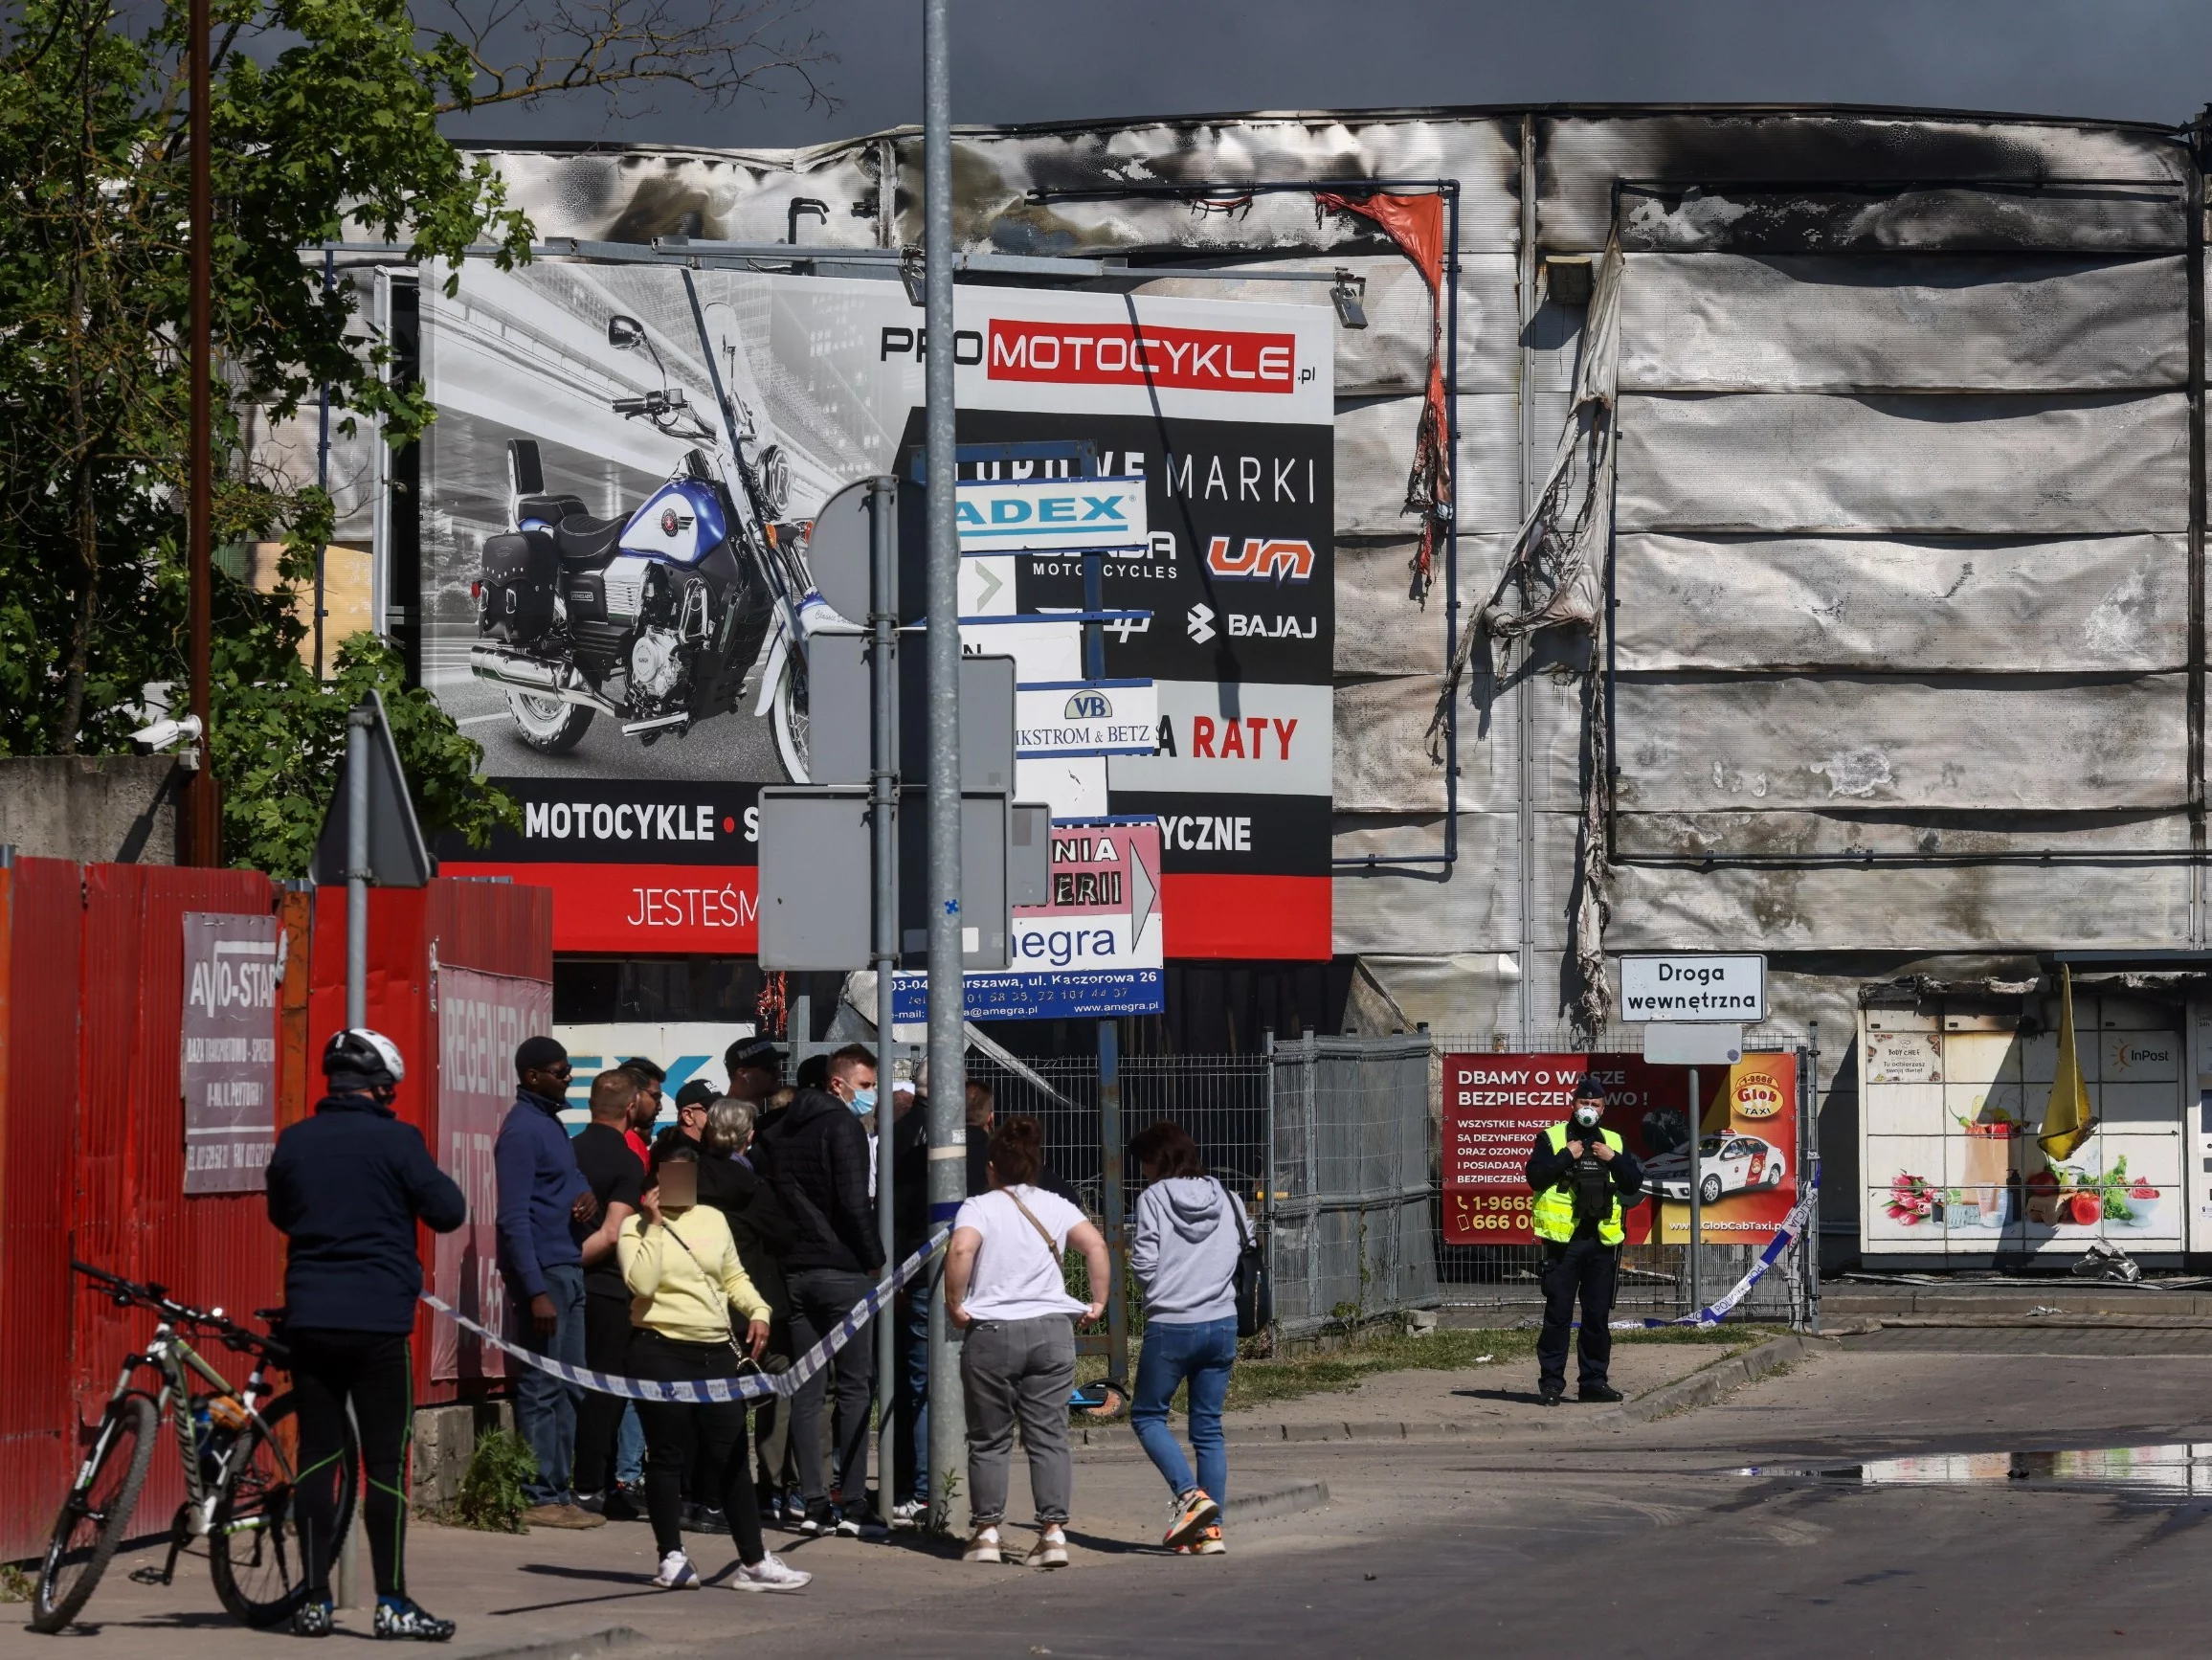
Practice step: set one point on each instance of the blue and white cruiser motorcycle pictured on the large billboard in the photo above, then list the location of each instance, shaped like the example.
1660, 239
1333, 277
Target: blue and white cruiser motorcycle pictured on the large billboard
671, 614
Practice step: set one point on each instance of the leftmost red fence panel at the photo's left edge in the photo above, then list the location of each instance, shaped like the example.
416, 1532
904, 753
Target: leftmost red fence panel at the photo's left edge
39, 1090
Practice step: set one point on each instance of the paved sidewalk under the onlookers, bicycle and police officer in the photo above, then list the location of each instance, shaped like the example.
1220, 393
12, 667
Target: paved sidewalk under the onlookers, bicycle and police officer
576, 1595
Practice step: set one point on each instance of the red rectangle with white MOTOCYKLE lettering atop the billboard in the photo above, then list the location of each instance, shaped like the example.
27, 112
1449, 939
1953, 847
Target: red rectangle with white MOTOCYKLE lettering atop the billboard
1198, 360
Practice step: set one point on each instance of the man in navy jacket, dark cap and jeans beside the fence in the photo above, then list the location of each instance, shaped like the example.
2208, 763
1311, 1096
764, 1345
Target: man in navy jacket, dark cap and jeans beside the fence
541, 1187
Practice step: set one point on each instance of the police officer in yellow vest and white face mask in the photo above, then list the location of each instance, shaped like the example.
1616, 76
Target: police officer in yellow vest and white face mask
1580, 1174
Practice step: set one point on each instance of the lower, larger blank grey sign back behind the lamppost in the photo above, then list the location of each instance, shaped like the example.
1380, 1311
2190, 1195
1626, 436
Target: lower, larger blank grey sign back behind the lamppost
817, 880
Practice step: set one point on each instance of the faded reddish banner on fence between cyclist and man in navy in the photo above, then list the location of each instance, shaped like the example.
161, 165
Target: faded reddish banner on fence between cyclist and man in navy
481, 1021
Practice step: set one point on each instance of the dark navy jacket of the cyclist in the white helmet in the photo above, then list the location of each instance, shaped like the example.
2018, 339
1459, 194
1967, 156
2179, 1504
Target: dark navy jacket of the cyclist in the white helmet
348, 1187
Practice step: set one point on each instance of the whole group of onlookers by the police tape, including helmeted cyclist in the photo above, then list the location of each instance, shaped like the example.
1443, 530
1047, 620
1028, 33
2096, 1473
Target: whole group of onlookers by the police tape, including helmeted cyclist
724, 1245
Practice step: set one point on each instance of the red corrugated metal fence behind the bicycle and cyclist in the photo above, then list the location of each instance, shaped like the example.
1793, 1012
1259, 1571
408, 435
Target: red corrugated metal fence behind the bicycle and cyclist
92, 1119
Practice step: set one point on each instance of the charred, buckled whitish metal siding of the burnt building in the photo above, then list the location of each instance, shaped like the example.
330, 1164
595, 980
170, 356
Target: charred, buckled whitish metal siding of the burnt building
1861, 351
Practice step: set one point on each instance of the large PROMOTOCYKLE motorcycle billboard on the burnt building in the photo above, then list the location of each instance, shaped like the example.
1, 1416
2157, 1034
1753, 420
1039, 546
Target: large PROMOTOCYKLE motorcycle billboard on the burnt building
618, 603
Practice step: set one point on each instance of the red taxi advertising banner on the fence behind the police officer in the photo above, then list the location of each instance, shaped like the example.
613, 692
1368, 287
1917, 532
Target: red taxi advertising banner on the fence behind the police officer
1499, 1103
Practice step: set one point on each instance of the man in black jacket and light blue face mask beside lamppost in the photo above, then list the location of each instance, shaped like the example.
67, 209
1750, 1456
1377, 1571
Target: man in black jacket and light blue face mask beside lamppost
820, 1161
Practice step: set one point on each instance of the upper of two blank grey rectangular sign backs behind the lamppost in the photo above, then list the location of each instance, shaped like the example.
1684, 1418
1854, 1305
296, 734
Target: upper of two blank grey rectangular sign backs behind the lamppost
839, 714
